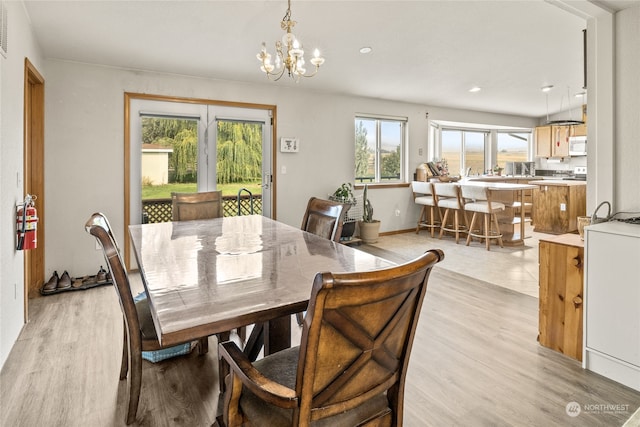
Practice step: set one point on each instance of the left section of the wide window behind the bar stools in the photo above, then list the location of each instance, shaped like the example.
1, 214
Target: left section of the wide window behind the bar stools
464, 150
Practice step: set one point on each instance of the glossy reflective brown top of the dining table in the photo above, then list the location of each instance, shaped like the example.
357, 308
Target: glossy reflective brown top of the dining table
209, 276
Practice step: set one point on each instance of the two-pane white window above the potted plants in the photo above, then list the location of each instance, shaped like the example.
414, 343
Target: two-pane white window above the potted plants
379, 149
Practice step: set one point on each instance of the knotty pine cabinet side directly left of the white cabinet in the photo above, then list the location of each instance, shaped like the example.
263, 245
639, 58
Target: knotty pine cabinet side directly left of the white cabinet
561, 276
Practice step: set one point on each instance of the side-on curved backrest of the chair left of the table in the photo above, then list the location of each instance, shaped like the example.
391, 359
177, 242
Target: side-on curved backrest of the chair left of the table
98, 226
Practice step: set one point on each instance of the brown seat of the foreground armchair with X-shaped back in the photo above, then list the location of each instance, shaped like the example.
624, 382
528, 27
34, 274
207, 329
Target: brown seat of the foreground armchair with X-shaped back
281, 367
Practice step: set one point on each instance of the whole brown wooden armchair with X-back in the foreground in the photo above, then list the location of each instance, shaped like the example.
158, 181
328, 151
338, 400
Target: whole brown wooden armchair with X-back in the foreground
350, 368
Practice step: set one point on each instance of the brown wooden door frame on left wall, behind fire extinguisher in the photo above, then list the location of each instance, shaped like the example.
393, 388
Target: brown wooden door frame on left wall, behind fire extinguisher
33, 175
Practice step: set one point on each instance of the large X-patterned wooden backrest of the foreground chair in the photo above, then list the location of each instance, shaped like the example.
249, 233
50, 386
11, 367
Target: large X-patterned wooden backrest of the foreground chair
357, 337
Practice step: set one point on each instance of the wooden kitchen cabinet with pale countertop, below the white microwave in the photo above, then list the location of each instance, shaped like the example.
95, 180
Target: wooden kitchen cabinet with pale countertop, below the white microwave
557, 205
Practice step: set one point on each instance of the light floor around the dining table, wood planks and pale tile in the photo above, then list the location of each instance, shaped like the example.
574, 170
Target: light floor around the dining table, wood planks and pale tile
475, 360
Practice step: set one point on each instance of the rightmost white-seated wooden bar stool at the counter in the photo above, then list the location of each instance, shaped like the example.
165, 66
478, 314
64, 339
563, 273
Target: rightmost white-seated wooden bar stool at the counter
477, 199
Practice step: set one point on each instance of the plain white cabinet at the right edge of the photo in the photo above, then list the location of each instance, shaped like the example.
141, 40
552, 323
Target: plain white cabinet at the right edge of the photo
612, 302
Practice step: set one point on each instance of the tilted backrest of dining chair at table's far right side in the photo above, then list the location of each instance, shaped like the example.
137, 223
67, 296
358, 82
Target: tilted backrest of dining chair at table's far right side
324, 218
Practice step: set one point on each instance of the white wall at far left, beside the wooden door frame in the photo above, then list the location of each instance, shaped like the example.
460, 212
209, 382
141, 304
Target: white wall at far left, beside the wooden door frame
21, 44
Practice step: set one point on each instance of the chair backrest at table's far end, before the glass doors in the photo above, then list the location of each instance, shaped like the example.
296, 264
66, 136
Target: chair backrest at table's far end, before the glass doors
190, 206
